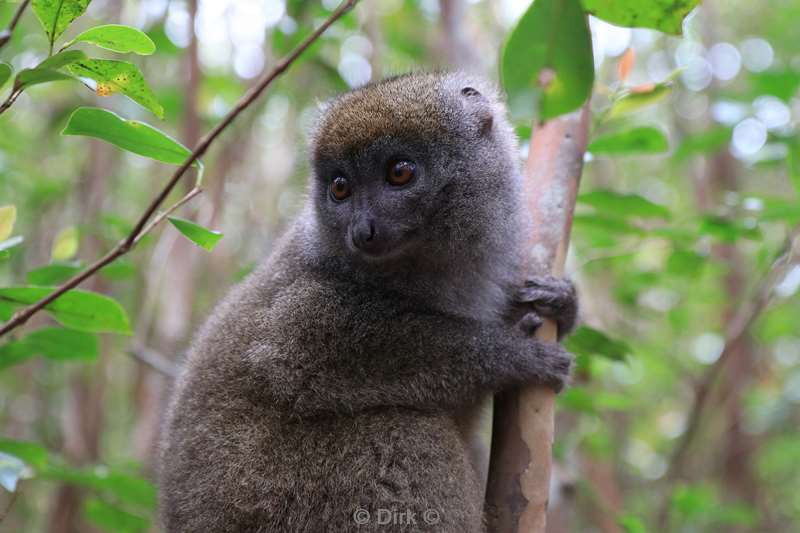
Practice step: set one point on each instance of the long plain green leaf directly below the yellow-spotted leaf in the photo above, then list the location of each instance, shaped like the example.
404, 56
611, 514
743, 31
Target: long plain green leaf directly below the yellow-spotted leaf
130, 135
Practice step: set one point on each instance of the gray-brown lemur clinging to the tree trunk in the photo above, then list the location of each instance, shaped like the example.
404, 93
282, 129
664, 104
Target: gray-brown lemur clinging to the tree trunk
324, 392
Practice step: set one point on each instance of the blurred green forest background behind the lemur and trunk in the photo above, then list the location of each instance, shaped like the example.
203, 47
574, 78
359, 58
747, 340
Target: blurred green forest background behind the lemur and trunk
690, 191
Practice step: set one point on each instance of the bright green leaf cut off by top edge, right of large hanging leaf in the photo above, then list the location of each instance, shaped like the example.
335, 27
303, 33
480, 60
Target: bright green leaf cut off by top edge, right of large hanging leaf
663, 15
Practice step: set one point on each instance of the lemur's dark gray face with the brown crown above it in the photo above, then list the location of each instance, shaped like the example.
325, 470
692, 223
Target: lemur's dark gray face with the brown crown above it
392, 162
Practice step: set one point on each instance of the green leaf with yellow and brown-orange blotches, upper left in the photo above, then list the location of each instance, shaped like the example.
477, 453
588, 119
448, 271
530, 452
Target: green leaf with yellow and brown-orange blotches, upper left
118, 76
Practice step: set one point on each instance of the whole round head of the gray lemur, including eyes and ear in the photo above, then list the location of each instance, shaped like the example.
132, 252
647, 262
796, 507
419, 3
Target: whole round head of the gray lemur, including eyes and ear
419, 165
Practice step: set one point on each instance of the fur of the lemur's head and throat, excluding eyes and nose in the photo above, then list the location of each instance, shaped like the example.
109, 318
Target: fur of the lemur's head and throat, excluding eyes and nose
459, 221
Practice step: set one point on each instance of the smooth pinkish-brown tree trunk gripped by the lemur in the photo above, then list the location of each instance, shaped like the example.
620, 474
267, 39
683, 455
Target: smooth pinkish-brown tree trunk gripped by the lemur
519, 475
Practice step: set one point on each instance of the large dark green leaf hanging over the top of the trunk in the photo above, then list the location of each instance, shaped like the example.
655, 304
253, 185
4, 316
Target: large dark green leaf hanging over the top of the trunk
549, 55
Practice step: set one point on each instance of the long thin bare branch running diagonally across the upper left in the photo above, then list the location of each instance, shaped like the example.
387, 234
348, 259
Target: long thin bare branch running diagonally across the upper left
22, 316
